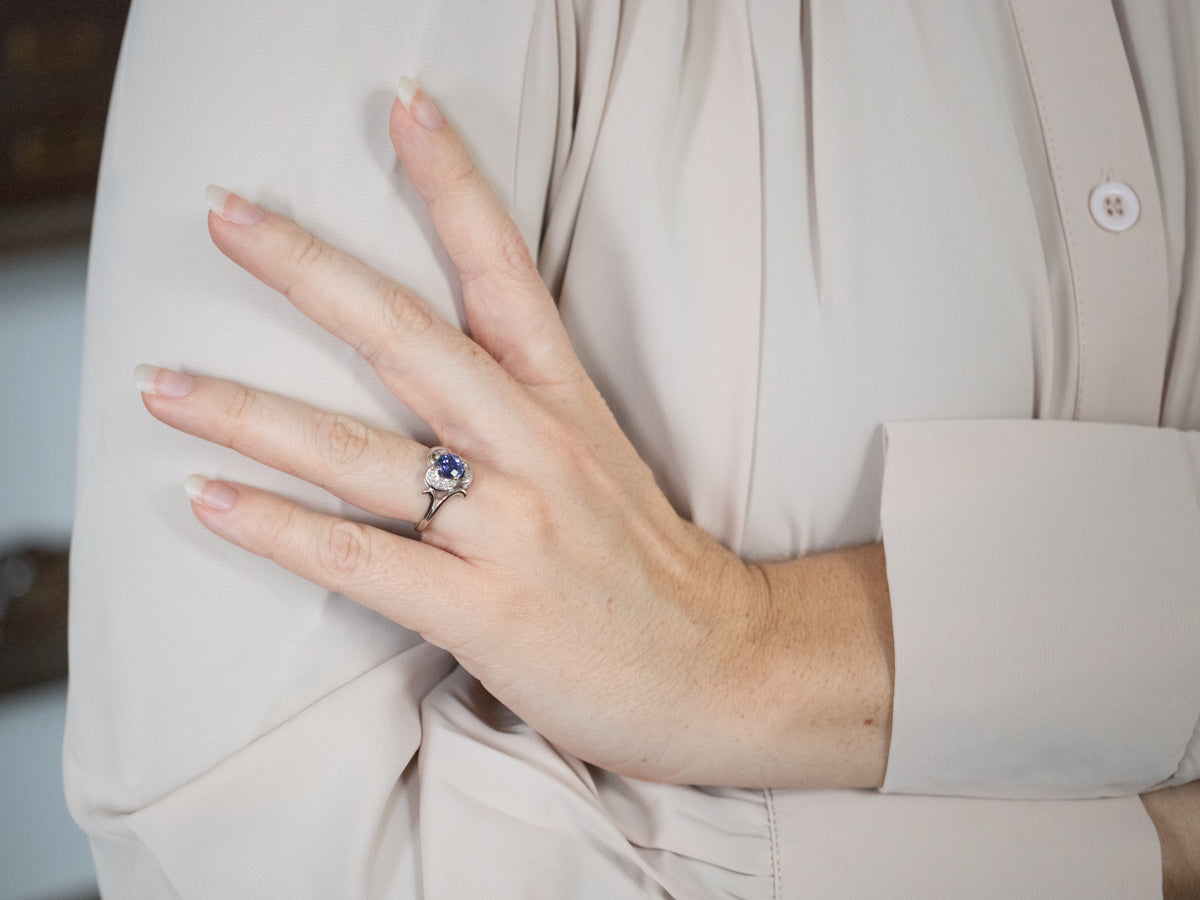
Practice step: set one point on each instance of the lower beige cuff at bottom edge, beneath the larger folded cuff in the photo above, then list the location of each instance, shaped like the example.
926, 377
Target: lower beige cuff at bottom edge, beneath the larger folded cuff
844, 844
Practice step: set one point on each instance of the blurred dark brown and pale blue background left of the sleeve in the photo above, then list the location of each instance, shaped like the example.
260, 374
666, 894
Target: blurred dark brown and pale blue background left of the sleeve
57, 65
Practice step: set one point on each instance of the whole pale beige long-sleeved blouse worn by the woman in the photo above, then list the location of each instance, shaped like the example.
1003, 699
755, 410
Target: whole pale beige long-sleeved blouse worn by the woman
830, 265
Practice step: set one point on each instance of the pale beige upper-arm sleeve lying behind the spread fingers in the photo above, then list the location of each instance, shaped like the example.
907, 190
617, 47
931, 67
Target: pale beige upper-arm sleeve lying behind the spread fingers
218, 703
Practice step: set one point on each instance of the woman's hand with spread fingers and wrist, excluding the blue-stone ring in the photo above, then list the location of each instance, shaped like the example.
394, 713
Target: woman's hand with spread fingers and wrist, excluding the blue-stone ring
563, 581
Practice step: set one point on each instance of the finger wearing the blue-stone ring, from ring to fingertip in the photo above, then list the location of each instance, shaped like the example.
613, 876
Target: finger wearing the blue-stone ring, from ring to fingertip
334, 452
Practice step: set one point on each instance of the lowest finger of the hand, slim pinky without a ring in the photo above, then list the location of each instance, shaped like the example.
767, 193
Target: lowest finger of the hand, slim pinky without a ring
410, 583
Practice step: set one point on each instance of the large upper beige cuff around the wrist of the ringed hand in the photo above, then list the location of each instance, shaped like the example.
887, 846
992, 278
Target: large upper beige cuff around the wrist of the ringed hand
1046, 607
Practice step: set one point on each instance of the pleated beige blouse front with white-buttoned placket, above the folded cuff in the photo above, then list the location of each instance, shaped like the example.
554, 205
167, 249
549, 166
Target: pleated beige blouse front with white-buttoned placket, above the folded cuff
859, 220
